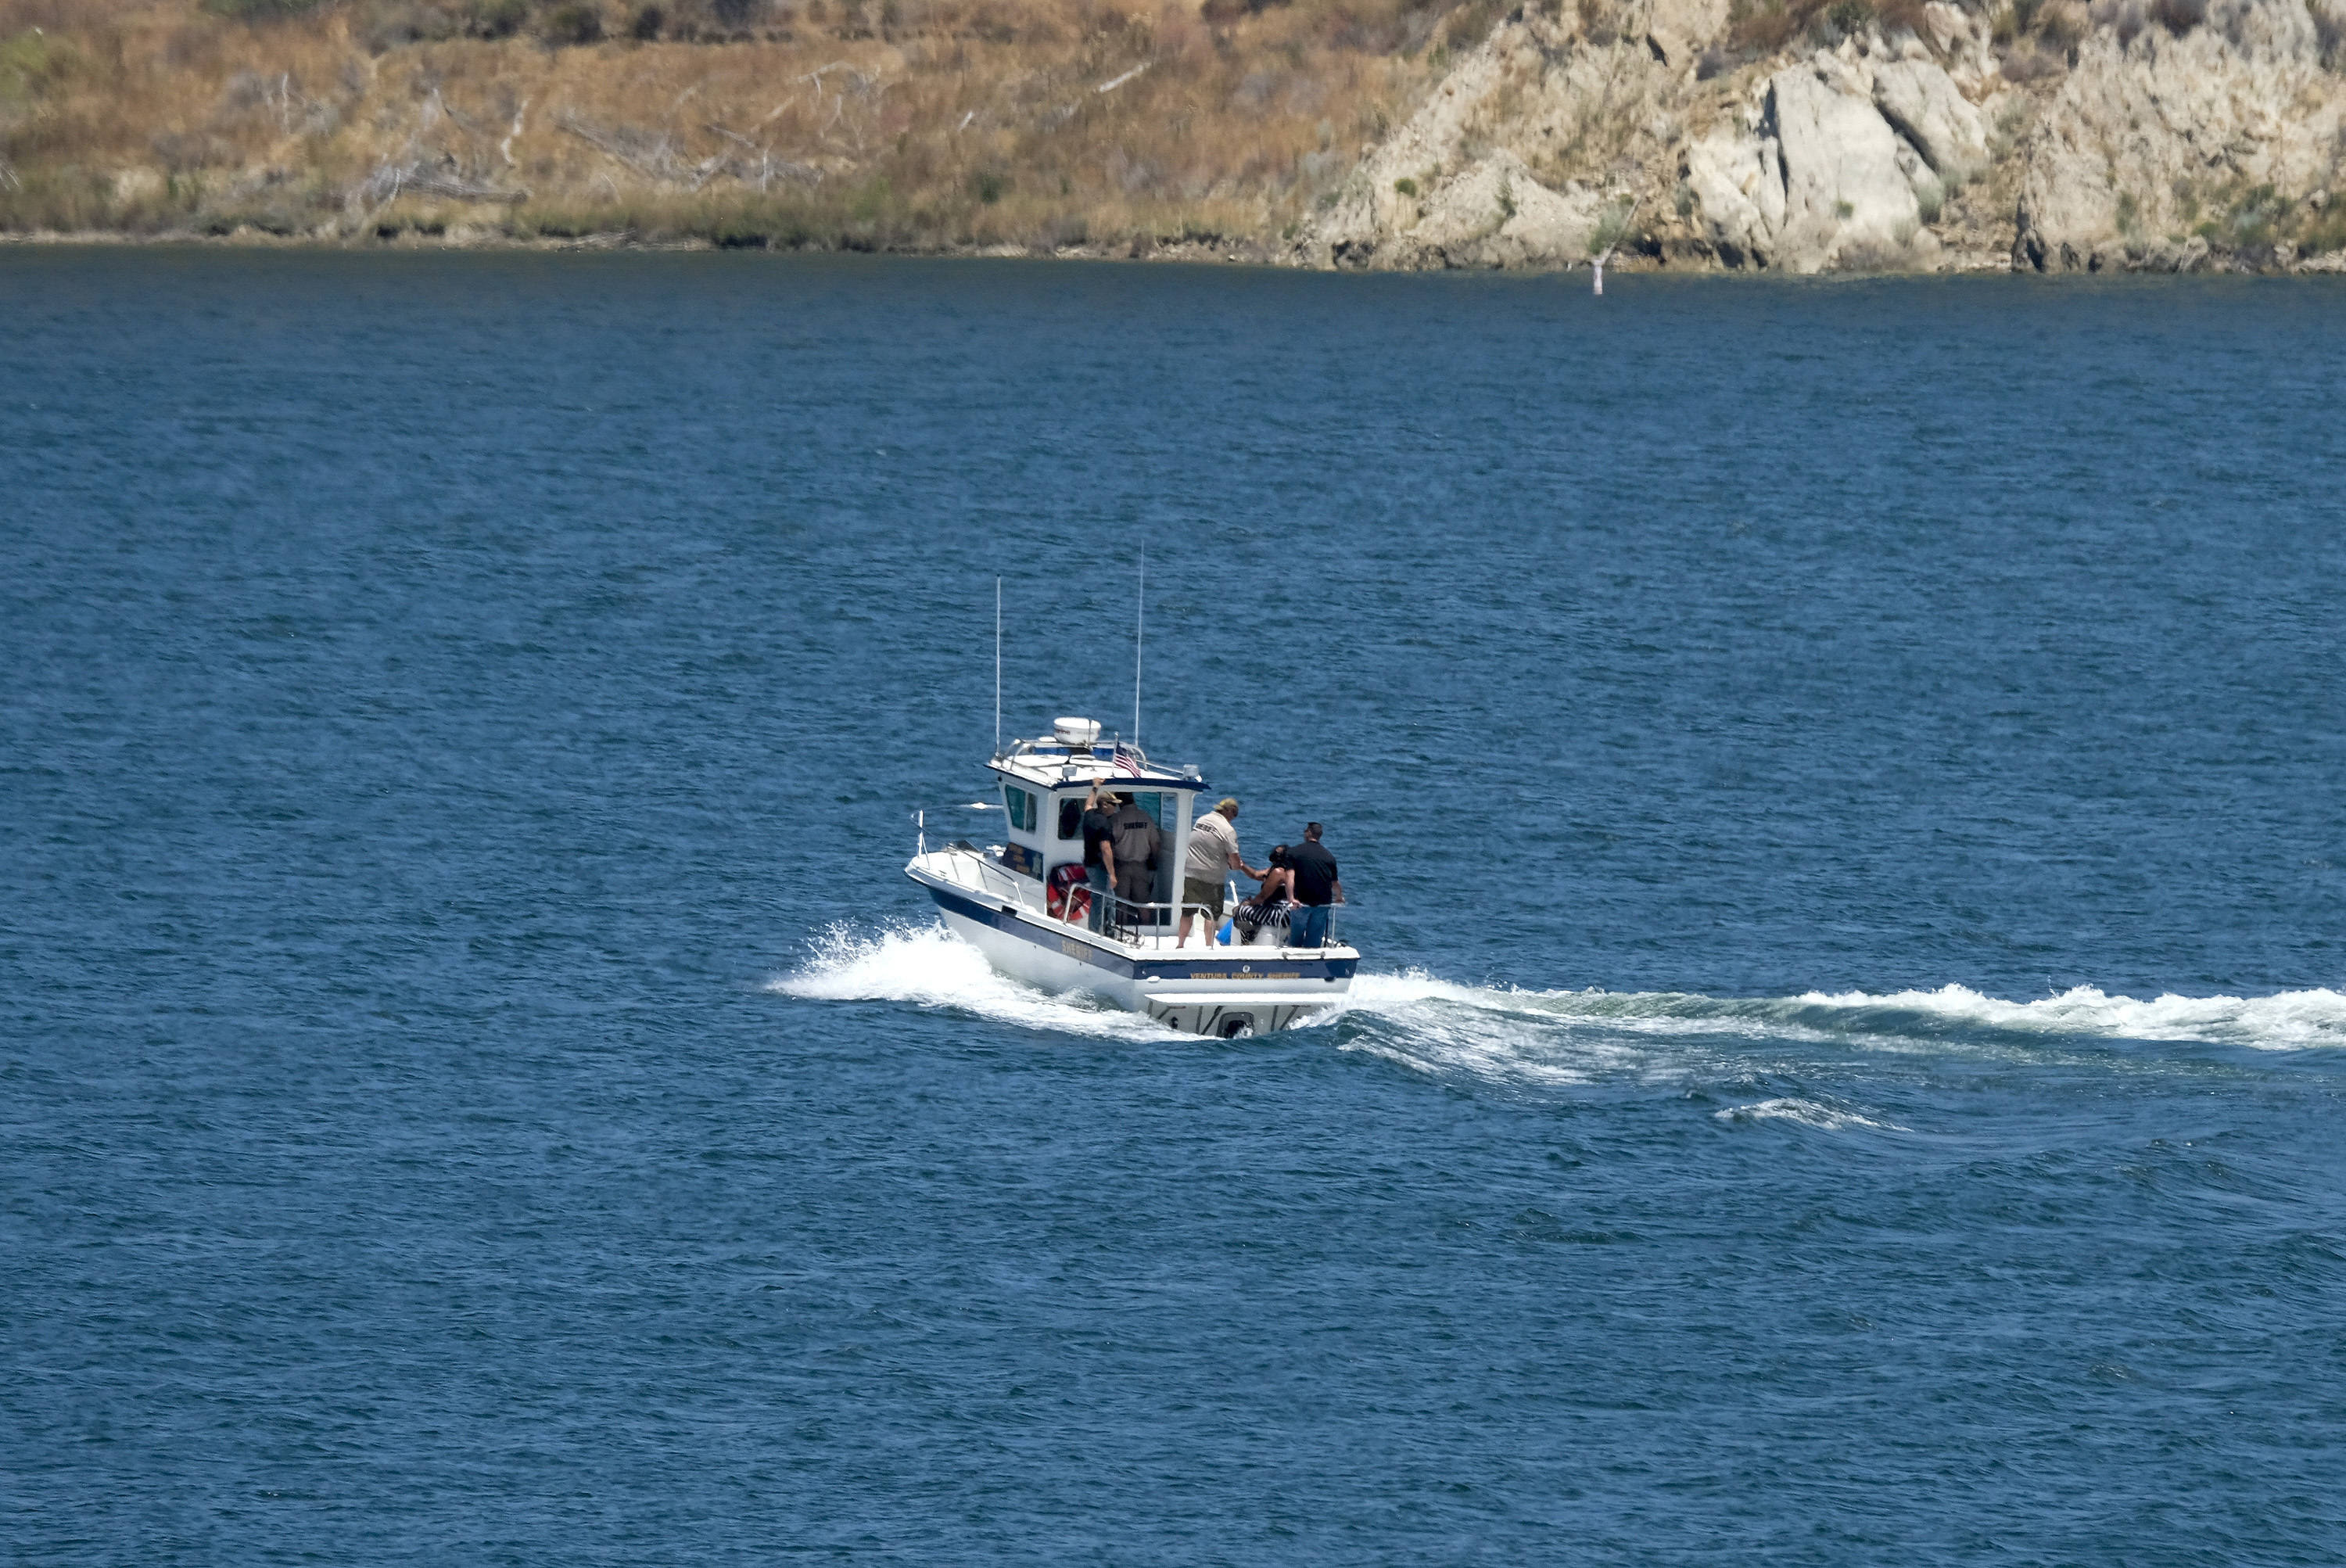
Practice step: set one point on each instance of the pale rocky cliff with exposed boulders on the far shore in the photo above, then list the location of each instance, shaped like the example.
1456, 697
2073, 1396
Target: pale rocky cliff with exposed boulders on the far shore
1944, 137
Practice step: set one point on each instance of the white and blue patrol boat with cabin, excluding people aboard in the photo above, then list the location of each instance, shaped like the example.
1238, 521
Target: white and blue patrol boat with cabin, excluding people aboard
1026, 907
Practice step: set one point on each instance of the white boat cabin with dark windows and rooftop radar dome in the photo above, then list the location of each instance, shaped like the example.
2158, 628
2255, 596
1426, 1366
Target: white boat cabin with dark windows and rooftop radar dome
1043, 799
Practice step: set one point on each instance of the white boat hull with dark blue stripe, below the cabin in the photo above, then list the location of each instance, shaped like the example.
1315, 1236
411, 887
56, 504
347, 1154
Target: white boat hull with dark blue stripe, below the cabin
1198, 989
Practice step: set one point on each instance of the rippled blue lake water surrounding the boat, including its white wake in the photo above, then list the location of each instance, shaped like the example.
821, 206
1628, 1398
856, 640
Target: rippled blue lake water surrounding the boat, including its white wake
1840, 790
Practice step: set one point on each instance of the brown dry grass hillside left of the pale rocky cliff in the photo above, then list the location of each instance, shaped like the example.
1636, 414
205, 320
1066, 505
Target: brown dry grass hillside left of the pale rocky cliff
841, 123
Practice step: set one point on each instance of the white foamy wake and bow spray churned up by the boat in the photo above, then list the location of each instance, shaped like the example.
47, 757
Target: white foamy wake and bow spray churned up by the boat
1580, 1036
